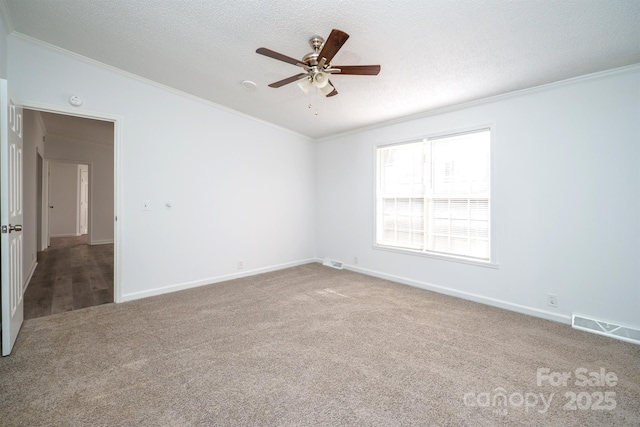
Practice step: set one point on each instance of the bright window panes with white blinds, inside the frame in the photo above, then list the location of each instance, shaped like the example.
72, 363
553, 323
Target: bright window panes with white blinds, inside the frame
433, 196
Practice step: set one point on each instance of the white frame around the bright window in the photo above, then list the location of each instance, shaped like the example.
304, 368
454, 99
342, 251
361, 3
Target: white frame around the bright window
493, 252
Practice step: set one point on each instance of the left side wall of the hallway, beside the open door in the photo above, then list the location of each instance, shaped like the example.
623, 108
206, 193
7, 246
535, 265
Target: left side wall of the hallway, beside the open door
32, 139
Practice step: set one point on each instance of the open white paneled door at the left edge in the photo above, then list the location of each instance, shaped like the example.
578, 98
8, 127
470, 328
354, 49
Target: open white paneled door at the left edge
11, 218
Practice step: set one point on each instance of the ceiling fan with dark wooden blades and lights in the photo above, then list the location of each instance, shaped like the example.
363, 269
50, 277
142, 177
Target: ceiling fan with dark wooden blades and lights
317, 64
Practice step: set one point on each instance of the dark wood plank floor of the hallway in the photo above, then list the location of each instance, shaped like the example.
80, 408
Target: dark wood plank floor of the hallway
70, 275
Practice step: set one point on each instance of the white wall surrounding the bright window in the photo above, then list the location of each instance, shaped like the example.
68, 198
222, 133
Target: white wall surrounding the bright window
567, 201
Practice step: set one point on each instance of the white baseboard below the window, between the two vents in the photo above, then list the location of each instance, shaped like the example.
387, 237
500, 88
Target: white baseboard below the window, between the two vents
561, 318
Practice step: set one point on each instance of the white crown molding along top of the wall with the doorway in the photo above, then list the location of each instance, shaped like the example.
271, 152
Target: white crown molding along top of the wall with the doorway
152, 83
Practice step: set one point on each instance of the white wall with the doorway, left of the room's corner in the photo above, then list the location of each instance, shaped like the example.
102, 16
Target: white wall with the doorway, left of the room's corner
241, 190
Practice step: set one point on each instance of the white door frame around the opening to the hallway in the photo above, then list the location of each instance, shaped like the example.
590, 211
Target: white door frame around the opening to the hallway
117, 167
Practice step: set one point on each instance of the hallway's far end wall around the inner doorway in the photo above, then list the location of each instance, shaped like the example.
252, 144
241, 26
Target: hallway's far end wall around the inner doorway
101, 181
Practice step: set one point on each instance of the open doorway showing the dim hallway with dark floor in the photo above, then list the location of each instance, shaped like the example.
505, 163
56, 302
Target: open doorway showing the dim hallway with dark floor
75, 191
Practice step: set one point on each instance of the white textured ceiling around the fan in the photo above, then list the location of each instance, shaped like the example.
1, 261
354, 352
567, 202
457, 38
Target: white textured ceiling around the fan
433, 54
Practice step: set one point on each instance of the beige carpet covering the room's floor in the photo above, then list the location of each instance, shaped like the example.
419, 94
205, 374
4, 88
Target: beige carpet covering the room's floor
312, 346
